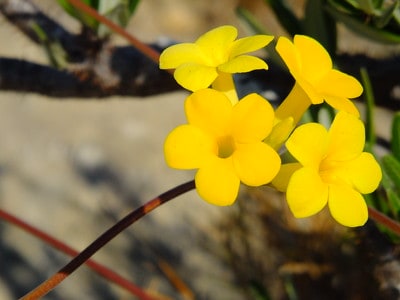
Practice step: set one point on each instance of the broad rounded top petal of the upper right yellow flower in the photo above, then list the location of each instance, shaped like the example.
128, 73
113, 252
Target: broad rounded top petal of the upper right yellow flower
315, 60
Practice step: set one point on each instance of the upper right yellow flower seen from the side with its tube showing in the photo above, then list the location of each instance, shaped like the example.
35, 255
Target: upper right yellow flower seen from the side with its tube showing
316, 80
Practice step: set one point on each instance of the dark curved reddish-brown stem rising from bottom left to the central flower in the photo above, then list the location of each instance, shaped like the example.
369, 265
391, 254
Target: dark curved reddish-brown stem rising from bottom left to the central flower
107, 236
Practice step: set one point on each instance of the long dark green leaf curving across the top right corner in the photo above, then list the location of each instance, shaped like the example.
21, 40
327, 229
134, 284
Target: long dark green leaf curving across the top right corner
364, 29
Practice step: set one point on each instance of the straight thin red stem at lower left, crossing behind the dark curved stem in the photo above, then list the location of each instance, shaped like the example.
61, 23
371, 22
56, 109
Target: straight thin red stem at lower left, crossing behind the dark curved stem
99, 268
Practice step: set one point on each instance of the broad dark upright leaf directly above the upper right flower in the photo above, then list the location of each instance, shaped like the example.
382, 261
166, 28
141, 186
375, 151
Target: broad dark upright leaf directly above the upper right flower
319, 25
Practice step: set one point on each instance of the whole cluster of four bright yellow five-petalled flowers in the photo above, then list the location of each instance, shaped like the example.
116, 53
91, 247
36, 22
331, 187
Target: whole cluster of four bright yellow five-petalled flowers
230, 141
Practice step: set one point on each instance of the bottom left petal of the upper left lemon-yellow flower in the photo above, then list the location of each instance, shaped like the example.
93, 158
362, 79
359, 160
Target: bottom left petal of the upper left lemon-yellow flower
195, 76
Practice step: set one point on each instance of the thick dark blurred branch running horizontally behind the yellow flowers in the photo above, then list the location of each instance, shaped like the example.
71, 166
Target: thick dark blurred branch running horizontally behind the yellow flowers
97, 69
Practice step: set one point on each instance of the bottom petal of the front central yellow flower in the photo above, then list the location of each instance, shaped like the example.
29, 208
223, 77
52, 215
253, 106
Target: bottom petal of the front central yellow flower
217, 182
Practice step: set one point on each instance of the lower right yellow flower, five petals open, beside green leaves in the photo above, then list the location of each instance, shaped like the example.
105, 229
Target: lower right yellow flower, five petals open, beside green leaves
332, 169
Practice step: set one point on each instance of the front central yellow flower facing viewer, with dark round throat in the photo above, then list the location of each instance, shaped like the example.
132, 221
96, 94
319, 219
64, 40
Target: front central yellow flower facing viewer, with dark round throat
224, 142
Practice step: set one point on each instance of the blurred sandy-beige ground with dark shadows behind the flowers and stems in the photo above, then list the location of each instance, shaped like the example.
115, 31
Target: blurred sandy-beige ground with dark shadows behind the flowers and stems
73, 166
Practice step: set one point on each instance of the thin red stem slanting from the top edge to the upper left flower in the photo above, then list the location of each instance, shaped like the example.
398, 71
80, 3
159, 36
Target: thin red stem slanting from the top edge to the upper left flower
146, 50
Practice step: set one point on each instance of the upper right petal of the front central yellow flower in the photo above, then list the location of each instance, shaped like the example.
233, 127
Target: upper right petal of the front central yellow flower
252, 119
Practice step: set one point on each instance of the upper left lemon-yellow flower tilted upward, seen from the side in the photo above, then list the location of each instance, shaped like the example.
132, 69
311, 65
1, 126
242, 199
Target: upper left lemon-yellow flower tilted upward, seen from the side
216, 52
